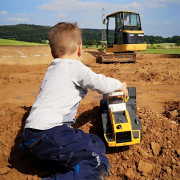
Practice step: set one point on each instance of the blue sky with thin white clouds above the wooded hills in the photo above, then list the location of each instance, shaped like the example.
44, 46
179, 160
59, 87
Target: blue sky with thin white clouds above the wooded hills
158, 17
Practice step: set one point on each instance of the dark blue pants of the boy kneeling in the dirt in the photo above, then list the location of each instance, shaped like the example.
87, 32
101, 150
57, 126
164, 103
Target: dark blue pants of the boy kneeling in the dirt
82, 154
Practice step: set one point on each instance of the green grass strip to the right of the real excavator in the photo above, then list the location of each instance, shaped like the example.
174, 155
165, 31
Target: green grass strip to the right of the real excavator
161, 51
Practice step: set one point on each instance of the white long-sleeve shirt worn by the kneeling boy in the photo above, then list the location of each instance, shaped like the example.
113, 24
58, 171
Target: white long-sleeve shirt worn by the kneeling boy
64, 85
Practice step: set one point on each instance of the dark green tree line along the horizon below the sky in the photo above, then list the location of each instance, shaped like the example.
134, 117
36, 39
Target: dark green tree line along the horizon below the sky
39, 34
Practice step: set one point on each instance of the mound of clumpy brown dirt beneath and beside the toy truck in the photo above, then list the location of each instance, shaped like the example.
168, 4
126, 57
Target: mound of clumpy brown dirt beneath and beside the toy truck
156, 157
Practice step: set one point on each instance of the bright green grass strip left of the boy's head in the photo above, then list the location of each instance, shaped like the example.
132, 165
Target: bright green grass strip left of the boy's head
7, 42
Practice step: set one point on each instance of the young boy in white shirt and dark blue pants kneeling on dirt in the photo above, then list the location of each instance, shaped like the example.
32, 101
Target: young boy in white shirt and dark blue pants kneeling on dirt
48, 133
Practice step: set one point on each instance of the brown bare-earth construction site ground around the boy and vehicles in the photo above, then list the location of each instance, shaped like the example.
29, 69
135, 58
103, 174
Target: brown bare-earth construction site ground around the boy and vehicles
157, 81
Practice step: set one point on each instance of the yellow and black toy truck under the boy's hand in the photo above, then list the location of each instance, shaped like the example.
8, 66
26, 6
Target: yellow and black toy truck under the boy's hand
120, 124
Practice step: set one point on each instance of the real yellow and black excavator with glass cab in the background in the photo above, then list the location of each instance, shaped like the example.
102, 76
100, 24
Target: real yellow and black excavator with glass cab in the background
124, 37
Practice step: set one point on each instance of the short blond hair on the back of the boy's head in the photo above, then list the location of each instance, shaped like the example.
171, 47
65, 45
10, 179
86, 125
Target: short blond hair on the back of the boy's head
64, 38
